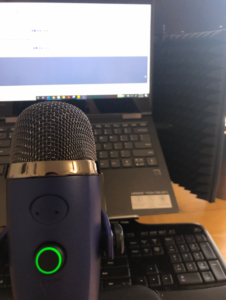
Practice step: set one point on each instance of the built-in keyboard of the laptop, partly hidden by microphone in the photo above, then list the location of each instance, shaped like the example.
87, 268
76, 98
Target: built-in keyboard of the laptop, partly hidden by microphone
119, 145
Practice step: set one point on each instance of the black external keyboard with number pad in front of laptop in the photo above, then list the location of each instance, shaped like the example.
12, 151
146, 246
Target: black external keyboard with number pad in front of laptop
162, 257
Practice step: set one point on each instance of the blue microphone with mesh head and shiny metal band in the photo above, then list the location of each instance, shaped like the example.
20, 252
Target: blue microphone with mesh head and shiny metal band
53, 205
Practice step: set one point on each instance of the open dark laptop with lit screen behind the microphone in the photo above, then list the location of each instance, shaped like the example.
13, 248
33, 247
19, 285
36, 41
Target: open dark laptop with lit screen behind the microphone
99, 57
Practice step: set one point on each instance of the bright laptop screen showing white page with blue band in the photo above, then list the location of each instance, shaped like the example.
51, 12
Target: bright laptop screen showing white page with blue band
74, 51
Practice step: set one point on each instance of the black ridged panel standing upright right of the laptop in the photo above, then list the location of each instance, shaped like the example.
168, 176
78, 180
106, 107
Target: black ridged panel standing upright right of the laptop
189, 97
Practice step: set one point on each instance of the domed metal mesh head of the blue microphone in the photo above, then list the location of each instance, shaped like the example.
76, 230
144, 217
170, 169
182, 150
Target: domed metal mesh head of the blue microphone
52, 131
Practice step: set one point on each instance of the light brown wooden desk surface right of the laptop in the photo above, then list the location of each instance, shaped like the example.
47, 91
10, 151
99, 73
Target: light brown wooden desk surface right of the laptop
193, 210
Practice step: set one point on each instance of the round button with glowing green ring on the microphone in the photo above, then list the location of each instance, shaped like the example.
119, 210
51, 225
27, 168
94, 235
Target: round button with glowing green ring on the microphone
49, 259
